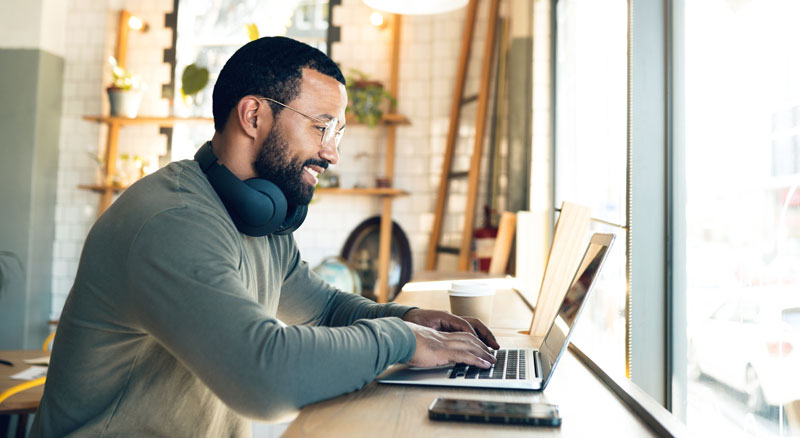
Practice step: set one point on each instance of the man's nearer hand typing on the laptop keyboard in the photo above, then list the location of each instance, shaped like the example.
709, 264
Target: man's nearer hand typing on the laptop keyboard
440, 348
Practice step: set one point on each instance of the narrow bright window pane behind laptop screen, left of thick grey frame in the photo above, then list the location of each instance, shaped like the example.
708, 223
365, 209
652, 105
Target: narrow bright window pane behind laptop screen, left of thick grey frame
591, 154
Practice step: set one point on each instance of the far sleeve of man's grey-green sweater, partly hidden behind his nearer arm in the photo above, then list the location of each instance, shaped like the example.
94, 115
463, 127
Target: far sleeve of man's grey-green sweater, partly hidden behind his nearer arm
308, 300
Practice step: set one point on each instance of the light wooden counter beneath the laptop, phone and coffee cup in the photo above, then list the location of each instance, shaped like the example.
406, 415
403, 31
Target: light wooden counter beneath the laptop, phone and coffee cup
587, 406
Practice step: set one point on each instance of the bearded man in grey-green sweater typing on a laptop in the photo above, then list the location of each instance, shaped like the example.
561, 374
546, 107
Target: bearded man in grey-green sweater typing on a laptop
173, 326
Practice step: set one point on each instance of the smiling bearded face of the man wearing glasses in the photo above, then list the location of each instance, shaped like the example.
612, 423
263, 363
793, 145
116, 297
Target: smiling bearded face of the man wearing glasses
292, 156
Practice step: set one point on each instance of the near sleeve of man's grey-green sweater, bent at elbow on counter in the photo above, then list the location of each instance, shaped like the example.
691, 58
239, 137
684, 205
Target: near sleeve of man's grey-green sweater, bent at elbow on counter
185, 290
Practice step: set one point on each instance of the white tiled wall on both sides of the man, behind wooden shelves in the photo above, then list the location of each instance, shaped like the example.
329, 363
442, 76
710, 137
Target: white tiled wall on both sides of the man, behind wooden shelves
429, 54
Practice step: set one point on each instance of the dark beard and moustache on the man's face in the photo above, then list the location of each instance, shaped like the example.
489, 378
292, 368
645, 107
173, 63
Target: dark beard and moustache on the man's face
274, 163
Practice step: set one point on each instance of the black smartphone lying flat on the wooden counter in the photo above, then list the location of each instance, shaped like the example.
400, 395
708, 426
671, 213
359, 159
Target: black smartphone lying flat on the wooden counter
484, 411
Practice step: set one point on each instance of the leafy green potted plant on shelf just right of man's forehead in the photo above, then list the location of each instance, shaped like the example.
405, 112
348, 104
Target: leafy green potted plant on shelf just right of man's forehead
367, 99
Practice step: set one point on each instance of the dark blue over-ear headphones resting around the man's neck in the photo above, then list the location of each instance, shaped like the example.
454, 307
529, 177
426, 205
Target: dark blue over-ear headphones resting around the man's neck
257, 206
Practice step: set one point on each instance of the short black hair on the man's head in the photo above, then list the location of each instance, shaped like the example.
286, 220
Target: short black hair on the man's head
269, 67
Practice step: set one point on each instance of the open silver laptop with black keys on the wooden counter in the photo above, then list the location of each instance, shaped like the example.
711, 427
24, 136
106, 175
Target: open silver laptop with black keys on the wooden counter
521, 368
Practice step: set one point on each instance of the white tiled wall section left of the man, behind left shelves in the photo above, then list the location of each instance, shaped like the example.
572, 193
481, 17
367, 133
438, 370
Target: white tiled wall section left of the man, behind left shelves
88, 44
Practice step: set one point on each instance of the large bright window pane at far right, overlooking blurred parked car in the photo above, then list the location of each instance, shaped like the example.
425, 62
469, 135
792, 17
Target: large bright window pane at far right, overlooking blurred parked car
742, 165
